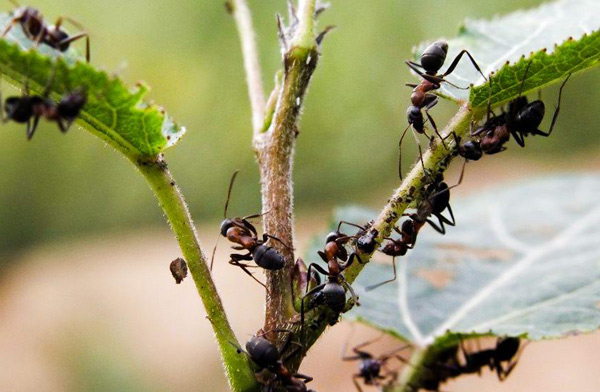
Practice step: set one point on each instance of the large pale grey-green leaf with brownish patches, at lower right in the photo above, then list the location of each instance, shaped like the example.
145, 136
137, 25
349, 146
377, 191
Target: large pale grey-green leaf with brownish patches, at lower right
522, 261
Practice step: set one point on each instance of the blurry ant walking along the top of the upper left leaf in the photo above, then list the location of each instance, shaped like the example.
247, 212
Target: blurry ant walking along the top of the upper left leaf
34, 27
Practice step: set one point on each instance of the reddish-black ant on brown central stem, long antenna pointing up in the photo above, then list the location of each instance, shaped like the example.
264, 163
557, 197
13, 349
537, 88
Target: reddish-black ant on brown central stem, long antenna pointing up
242, 232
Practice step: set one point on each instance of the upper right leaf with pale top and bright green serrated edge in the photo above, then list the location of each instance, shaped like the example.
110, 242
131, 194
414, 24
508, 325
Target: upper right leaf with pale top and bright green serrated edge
559, 38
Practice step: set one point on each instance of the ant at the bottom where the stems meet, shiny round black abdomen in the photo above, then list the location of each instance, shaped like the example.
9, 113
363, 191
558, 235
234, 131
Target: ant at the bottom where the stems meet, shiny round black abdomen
266, 355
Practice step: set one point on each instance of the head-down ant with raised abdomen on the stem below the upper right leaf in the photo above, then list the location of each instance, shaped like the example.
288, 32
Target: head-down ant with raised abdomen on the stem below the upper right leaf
432, 60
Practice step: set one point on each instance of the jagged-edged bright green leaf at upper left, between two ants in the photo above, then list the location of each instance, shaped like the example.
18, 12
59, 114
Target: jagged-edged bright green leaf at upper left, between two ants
113, 112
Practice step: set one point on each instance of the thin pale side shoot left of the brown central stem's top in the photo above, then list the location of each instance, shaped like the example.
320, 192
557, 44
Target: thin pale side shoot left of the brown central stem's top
243, 21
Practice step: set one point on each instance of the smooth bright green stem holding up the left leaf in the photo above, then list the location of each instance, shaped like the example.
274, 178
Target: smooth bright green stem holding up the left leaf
238, 371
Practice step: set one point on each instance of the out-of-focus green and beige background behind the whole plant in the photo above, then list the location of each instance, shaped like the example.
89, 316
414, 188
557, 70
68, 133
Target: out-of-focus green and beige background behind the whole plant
86, 300
